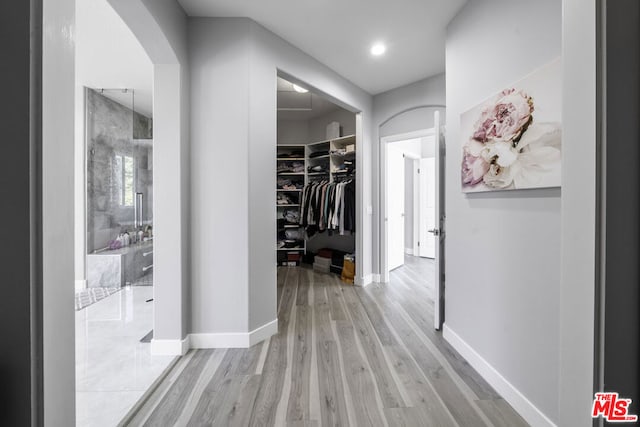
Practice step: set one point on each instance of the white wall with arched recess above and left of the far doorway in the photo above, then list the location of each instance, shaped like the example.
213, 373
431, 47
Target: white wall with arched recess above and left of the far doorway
402, 110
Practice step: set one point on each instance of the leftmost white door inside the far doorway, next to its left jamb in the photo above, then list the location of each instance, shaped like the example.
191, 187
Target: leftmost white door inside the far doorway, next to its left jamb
395, 207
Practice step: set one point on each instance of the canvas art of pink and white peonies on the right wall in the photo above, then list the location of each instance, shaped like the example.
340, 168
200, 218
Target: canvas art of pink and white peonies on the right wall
513, 140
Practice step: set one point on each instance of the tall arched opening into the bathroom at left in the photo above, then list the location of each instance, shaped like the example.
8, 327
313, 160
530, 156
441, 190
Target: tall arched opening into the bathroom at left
114, 307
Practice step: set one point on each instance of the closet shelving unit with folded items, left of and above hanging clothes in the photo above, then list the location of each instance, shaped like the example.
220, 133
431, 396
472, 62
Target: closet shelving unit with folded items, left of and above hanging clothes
297, 165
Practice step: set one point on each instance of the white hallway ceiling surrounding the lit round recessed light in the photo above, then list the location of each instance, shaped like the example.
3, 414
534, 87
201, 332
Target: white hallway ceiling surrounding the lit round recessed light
339, 33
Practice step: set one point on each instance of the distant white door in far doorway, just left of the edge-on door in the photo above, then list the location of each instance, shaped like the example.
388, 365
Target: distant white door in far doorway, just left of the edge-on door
427, 200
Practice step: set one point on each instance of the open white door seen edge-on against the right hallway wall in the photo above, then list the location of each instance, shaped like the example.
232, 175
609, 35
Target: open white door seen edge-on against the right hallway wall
438, 230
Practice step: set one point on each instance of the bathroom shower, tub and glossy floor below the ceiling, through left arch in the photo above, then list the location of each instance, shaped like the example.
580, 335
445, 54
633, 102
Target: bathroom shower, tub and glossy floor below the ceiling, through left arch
114, 309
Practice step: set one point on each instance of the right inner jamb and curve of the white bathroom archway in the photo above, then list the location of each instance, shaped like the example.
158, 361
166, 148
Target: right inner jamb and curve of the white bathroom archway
160, 27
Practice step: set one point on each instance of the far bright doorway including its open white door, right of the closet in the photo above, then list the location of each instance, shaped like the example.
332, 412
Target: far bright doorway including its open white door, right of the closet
412, 217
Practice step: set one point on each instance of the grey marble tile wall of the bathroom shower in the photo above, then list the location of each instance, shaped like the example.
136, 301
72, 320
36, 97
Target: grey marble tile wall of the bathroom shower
115, 130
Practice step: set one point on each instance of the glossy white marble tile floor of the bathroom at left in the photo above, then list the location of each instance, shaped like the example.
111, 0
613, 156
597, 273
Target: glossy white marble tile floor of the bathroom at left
113, 368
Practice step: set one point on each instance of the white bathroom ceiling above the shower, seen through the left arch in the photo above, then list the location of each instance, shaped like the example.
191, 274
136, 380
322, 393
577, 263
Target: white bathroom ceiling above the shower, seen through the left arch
108, 56
